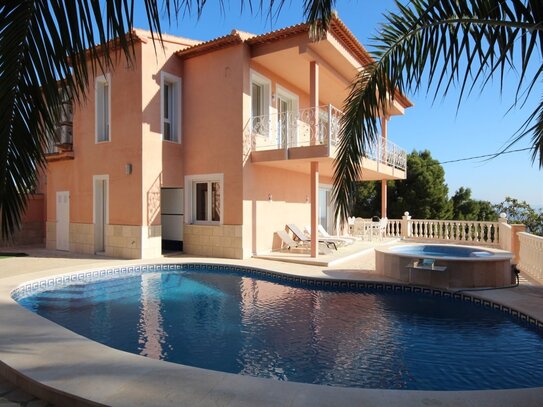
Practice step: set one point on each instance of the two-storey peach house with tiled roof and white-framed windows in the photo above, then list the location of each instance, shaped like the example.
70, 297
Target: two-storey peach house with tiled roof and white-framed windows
187, 162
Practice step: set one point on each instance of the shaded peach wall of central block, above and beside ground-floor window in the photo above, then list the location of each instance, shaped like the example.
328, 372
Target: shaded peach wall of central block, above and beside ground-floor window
212, 114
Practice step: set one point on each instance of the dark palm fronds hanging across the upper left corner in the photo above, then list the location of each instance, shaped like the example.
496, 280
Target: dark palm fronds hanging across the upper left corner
48, 50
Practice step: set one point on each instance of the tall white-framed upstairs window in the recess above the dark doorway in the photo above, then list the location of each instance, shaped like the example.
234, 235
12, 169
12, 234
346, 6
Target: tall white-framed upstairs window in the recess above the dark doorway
170, 106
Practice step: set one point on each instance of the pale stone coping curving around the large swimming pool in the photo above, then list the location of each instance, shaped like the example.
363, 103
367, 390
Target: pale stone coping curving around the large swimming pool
62, 367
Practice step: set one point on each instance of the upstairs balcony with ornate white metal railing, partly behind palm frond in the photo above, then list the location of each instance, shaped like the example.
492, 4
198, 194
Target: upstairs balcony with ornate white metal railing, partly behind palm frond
313, 134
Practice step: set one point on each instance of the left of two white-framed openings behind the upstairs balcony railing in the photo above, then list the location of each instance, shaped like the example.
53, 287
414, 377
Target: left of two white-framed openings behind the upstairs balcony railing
260, 103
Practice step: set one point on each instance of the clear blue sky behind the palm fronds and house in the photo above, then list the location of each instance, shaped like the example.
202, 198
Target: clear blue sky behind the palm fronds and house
482, 126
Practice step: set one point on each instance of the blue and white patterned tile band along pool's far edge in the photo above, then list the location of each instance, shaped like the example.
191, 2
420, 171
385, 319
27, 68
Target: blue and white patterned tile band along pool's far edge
55, 282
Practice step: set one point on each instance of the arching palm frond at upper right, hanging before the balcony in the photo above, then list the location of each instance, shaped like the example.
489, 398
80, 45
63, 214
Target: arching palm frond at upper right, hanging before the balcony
449, 42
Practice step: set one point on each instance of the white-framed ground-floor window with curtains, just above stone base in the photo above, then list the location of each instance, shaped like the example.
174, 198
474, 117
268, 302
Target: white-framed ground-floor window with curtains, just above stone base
206, 198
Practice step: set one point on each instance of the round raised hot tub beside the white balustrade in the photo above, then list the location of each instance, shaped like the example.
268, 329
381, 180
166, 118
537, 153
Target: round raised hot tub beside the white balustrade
448, 266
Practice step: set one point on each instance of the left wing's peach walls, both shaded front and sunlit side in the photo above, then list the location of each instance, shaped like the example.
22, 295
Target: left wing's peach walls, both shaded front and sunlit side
135, 138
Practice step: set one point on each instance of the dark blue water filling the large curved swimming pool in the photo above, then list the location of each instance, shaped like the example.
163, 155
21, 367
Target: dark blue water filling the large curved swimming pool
234, 322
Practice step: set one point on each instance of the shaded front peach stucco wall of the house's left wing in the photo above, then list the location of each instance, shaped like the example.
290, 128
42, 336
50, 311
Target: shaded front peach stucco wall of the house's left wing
107, 158
